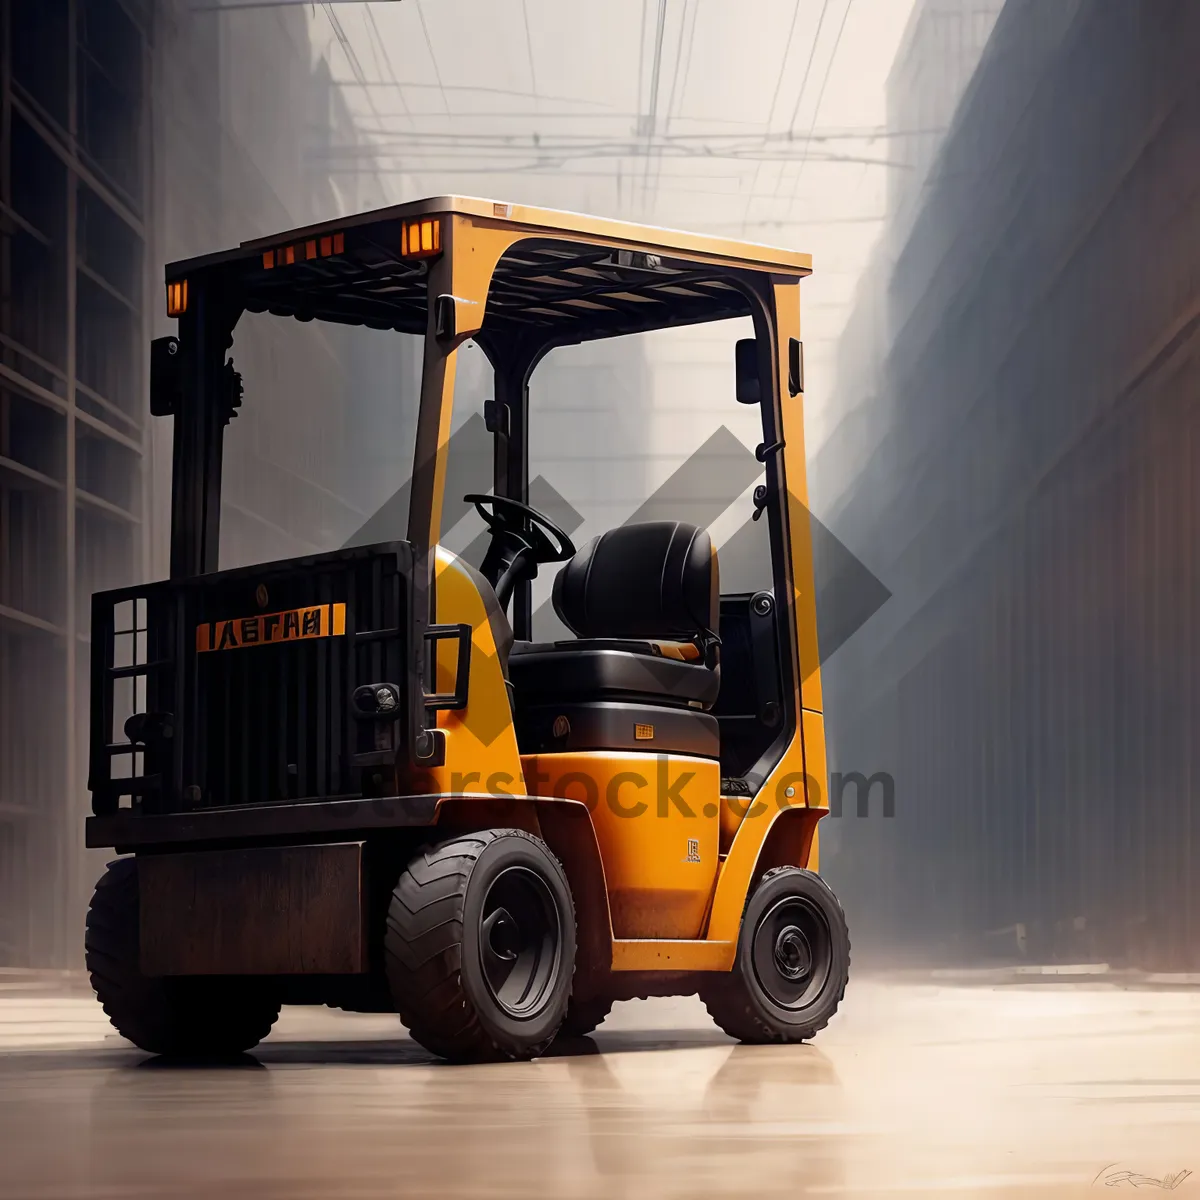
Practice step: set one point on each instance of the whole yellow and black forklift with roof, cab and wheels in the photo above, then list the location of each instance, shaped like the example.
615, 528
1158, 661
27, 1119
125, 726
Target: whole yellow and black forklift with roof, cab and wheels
355, 779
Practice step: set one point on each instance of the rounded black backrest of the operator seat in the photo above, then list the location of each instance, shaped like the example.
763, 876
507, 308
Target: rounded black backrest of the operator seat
656, 580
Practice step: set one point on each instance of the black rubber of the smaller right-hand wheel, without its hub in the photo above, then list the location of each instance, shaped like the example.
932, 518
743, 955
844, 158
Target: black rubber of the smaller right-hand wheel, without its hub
741, 1005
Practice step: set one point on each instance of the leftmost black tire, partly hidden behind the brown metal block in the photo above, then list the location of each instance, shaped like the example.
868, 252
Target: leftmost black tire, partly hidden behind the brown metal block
193, 1017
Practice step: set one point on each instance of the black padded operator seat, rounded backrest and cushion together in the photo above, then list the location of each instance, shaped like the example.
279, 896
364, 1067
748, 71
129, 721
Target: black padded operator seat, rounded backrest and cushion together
644, 604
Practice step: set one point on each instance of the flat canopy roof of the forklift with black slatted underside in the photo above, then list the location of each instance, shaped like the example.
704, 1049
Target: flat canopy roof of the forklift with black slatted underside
617, 278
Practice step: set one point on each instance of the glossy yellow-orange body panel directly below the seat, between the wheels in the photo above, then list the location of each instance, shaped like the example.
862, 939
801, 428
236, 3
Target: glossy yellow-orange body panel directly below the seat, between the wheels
657, 826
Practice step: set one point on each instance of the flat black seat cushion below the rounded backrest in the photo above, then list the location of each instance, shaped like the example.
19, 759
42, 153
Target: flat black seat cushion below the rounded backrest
604, 669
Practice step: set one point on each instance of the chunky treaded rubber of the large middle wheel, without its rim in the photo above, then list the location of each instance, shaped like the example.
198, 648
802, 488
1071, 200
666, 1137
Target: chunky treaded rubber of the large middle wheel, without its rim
434, 949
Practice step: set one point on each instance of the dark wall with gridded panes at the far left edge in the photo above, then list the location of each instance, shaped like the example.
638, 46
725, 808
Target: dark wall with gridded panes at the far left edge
75, 202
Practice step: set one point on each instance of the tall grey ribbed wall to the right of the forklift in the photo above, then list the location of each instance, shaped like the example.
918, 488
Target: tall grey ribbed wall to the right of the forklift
1028, 496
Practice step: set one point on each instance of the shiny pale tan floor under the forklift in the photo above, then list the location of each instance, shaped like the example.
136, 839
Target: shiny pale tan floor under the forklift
919, 1088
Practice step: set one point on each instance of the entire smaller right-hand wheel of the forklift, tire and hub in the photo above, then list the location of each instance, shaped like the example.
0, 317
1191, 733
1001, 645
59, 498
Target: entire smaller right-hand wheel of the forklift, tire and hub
793, 962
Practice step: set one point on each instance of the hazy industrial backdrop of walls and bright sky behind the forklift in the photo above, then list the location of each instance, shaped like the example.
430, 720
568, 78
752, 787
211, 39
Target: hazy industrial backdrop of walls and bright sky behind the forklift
1001, 343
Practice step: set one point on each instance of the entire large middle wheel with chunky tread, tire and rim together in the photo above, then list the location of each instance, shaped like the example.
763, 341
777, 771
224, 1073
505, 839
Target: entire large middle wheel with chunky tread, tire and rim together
481, 947
